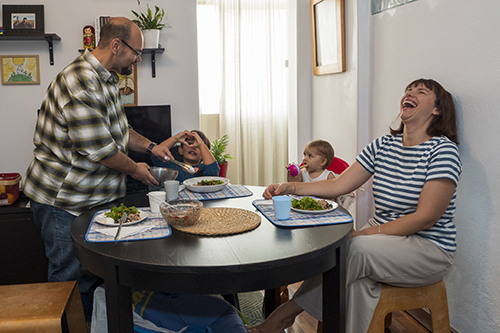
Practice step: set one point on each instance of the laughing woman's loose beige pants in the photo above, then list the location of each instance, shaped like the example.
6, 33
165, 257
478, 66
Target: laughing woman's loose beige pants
405, 261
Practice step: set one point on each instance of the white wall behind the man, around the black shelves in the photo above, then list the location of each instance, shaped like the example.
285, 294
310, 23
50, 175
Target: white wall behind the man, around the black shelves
176, 81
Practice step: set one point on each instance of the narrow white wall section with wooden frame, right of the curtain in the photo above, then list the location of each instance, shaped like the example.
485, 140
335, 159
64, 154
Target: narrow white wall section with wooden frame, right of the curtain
334, 97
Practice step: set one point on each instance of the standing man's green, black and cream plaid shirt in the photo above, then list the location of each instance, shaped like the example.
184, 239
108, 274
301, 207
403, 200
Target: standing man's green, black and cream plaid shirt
81, 122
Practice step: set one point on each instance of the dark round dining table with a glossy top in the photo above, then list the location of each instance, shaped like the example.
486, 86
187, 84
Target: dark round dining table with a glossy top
261, 259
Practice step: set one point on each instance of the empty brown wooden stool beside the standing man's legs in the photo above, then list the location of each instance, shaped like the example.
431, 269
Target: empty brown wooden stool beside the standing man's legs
39, 307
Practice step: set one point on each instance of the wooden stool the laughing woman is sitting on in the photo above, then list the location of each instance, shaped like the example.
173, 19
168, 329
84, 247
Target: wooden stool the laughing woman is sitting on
399, 299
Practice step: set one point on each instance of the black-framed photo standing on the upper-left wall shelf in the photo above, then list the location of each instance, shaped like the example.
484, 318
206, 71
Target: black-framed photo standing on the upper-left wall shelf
23, 20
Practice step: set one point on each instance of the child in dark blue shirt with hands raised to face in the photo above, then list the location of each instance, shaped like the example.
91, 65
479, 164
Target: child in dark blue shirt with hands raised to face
195, 151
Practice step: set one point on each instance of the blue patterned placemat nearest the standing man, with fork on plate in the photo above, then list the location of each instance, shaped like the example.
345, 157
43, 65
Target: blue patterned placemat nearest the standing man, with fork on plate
160, 229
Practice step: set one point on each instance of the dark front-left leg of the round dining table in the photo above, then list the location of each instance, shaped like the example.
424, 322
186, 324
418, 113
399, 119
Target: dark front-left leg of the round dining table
118, 304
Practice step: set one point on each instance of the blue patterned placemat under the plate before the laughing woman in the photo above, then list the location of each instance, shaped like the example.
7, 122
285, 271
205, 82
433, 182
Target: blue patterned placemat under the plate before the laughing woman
296, 219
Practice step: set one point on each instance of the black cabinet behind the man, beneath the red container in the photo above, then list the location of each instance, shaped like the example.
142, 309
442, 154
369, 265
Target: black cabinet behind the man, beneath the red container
22, 252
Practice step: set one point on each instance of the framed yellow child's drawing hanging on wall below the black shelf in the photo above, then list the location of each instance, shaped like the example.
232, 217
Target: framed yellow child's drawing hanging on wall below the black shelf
20, 69
